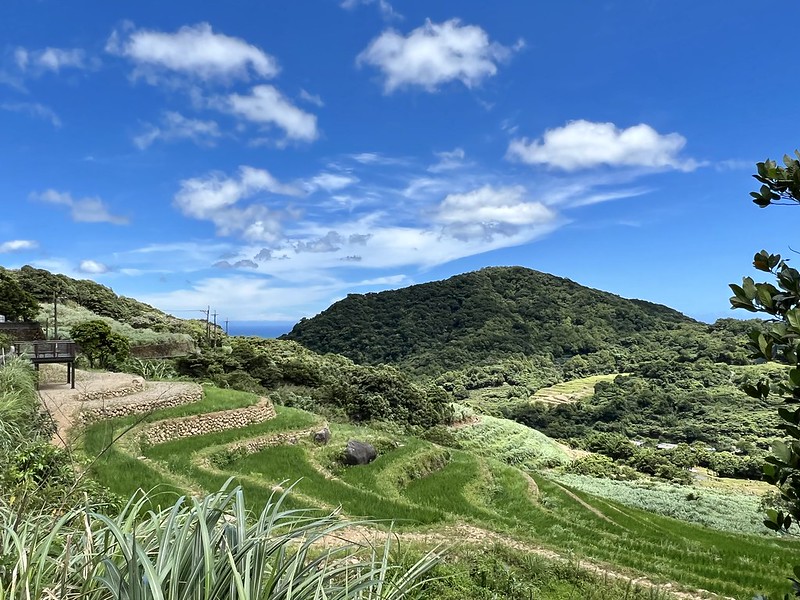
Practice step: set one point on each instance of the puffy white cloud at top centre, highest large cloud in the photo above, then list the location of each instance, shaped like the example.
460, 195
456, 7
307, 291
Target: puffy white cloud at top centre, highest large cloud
435, 54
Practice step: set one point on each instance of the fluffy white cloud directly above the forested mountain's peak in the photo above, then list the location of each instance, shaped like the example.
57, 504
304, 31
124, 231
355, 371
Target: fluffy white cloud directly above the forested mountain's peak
488, 210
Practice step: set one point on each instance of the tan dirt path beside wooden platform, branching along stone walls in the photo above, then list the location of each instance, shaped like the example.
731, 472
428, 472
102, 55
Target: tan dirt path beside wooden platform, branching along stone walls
64, 403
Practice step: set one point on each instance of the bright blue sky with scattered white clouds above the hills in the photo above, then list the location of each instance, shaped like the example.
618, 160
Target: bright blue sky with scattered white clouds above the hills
268, 158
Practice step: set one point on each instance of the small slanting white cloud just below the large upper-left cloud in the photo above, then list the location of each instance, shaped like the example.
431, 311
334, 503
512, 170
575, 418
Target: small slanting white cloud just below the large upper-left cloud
266, 105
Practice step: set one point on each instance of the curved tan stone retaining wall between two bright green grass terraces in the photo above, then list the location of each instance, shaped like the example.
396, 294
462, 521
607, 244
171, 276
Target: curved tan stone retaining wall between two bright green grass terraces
209, 423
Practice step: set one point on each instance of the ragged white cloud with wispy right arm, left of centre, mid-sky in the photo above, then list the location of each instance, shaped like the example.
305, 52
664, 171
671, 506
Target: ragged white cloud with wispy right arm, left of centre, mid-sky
215, 197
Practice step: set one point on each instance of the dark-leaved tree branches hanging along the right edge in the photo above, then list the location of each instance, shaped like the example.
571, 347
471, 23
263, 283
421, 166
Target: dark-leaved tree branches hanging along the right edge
780, 341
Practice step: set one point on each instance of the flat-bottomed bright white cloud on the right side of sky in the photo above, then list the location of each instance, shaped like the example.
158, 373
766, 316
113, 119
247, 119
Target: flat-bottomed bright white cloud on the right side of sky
584, 144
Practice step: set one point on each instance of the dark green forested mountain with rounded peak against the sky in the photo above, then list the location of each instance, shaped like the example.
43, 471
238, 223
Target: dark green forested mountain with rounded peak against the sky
488, 315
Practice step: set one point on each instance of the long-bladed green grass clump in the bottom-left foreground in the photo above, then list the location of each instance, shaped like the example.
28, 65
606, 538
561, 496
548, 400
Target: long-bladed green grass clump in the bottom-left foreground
210, 548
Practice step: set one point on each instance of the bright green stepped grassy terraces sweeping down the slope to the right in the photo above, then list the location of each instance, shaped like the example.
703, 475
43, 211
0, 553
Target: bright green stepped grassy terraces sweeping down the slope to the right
421, 485
